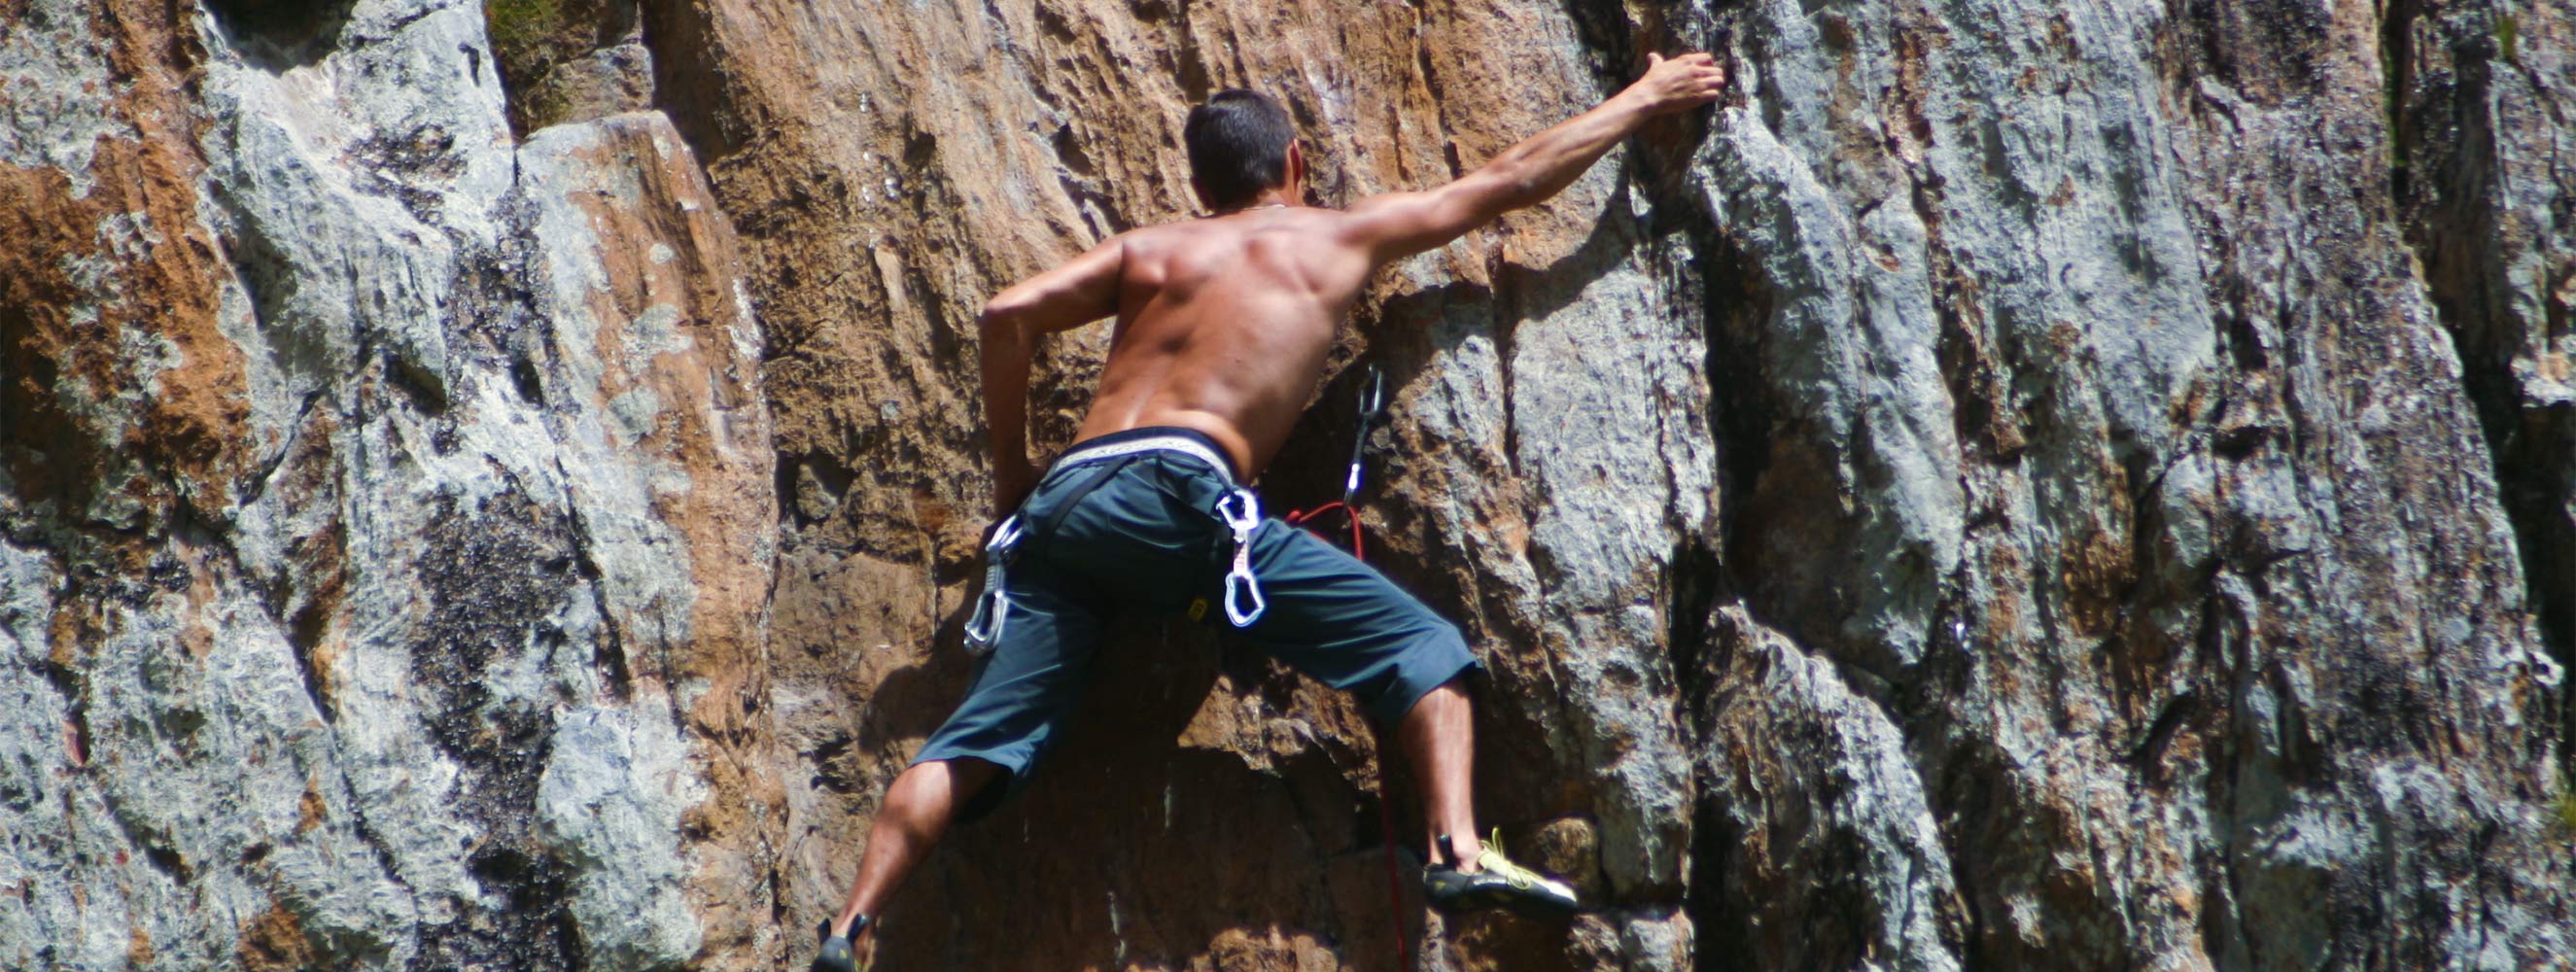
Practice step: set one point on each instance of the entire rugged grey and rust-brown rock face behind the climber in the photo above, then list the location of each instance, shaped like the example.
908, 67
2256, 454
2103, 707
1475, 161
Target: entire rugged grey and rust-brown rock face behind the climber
2018, 486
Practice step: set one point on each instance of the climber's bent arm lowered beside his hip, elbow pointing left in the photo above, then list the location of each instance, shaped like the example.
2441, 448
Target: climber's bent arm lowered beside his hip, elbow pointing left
1065, 298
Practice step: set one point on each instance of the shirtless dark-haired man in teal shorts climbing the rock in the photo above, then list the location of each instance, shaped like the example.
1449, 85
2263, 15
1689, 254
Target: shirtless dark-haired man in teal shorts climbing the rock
1222, 336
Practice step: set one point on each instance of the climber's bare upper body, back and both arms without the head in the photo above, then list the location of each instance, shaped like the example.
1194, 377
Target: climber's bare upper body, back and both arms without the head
1225, 321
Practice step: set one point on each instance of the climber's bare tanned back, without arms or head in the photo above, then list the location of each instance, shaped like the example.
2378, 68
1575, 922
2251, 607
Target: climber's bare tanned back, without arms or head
1225, 326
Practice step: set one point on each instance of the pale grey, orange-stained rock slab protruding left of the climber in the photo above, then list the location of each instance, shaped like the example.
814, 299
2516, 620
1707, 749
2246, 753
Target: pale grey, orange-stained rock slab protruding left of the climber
388, 509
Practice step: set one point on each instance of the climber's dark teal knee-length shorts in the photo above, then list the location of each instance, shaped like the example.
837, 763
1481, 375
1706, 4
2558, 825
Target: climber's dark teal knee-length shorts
1142, 532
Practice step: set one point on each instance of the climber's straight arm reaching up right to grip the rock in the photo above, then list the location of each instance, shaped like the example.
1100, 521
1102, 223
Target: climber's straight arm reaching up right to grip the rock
1397, 226
